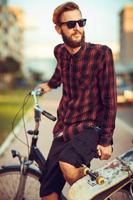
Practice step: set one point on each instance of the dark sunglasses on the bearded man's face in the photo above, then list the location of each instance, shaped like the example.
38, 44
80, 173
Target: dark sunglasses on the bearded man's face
72, 24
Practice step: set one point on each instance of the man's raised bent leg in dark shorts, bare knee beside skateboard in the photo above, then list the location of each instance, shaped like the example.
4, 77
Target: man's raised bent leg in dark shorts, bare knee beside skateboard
80, 150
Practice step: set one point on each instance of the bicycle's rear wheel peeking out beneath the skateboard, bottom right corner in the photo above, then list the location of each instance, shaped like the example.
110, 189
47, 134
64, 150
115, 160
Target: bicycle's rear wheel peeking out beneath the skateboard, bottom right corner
121, 195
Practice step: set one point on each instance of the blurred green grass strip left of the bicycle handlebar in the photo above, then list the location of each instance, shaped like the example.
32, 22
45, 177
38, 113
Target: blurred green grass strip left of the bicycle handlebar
10, 103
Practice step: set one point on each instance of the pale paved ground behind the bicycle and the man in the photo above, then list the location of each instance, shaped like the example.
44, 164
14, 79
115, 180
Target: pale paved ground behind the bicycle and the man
122, 136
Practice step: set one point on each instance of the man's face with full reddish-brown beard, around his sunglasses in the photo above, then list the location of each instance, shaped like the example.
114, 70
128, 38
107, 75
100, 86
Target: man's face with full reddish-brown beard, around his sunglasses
73, 37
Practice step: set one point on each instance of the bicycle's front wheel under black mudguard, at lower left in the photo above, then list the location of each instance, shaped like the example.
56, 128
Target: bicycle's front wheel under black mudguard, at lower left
9, 182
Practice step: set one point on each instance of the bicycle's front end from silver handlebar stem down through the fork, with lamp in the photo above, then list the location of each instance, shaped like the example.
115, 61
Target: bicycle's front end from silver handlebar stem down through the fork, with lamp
34, 154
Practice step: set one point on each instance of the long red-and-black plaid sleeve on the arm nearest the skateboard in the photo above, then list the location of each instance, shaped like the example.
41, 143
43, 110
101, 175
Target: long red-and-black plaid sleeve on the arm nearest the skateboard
107, 82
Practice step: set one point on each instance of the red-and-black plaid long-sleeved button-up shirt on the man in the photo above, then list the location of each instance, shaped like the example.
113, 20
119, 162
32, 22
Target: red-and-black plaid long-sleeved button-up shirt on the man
89, 90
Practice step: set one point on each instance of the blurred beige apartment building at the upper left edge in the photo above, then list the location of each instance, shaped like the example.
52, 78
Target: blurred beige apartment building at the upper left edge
11, 32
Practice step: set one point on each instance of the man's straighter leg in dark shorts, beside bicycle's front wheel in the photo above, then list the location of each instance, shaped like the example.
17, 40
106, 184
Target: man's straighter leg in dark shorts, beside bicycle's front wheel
53, 180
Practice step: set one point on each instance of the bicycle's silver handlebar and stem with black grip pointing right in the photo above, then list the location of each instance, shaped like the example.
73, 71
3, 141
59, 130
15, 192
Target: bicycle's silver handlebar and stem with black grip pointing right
39, 92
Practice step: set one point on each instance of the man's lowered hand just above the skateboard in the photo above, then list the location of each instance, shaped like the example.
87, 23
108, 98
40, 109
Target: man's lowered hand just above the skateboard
104, 152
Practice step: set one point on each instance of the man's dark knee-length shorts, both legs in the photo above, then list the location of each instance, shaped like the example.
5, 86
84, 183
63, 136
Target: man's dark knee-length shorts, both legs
80, 150
